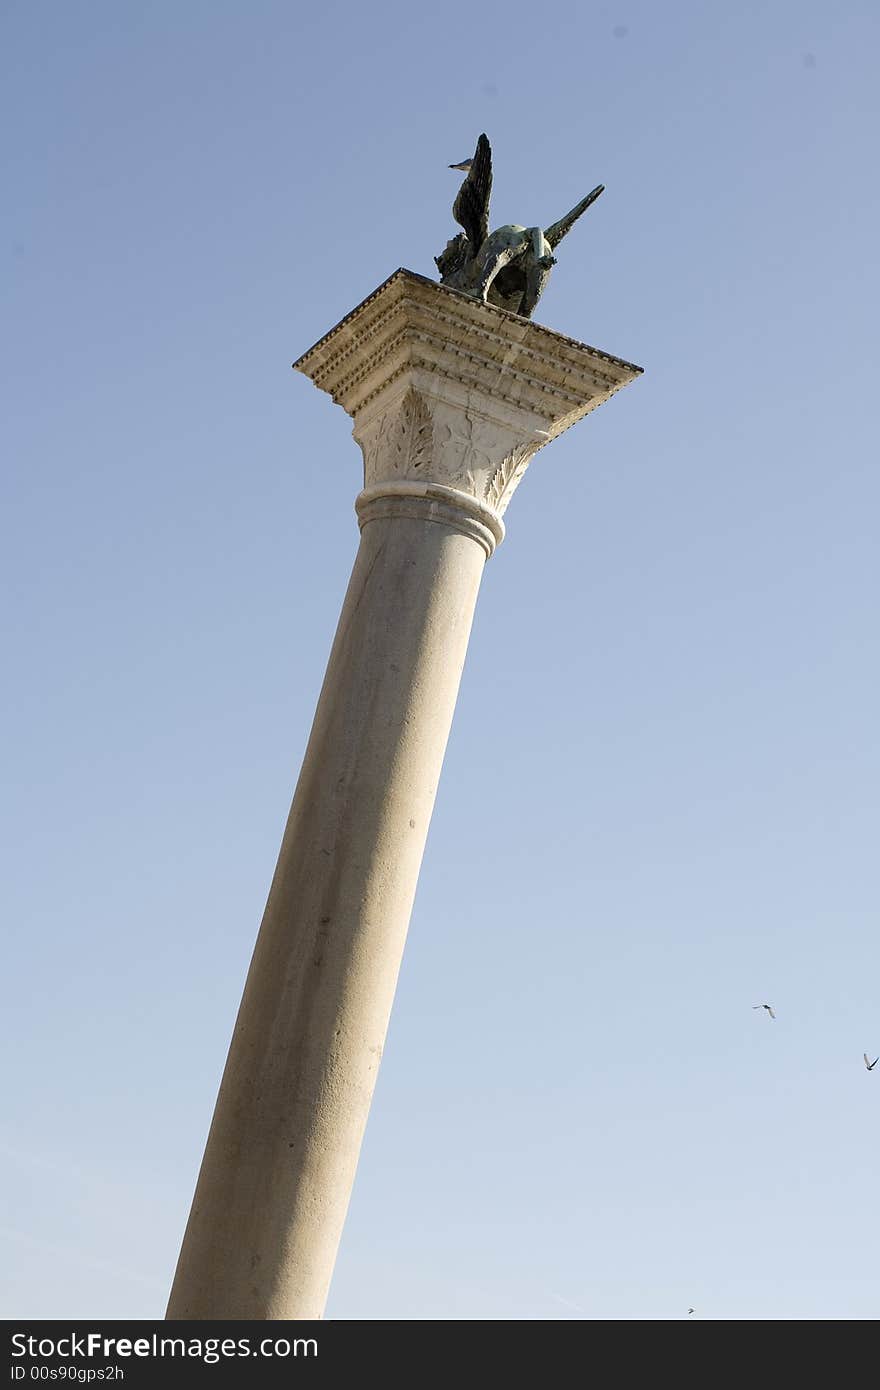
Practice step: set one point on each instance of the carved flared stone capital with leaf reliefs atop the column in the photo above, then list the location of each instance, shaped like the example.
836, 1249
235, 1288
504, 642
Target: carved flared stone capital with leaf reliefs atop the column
448, 393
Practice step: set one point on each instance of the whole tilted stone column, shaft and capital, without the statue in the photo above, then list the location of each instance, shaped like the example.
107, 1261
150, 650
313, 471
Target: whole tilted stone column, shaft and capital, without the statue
451, 400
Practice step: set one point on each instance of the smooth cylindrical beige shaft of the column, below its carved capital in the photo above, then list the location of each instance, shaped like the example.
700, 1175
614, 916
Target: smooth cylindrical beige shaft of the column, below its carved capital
293, 1107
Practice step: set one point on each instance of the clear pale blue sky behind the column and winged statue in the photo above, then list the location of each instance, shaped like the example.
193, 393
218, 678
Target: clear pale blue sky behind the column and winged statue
660, 803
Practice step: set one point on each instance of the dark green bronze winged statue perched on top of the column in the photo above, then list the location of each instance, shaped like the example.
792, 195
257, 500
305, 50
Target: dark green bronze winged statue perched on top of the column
508, 268
